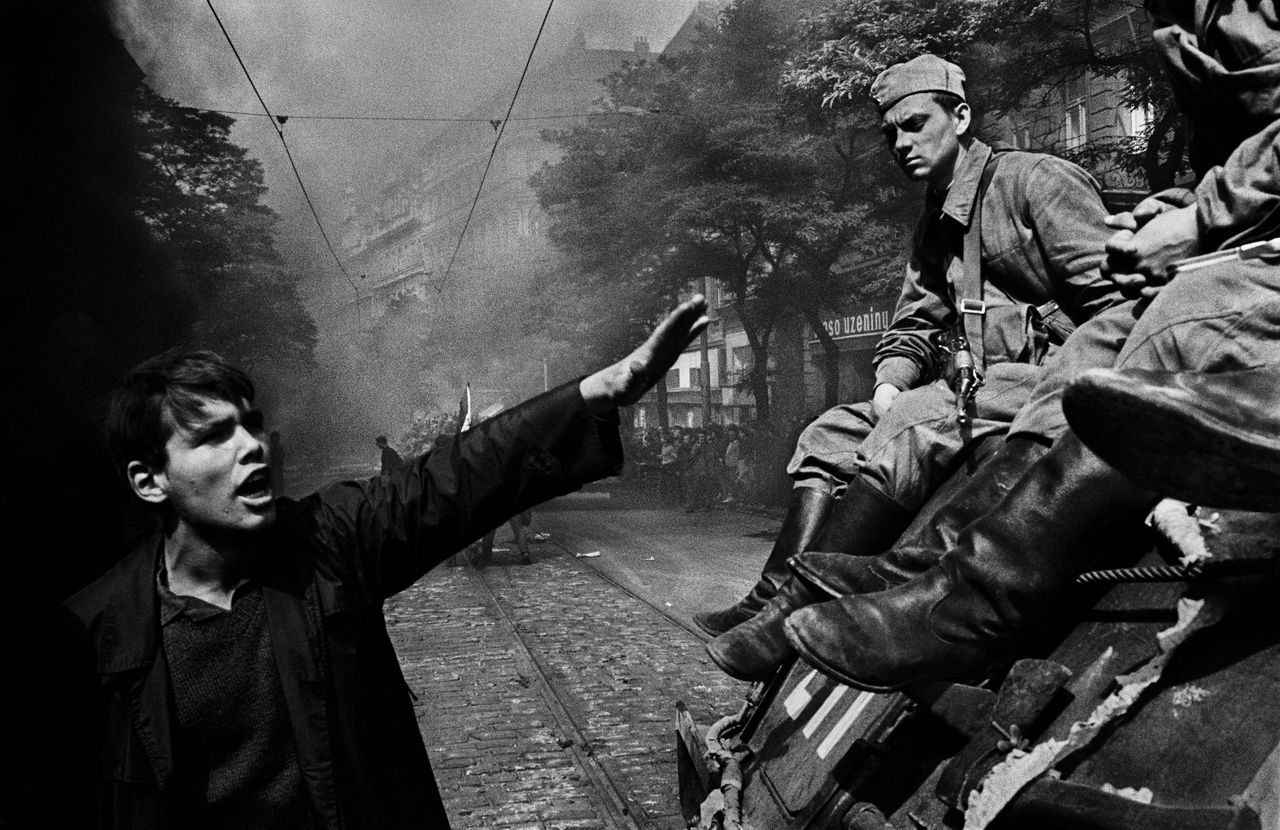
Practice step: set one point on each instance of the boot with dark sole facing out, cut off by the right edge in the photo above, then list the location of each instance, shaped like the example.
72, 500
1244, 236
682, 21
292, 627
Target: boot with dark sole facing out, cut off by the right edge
1212, 440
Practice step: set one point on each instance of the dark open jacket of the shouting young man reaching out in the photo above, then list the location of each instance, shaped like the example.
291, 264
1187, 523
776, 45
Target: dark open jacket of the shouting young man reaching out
327, 567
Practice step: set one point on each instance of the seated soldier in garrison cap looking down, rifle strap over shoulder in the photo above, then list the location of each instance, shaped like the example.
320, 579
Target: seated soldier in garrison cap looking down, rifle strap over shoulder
1004, 264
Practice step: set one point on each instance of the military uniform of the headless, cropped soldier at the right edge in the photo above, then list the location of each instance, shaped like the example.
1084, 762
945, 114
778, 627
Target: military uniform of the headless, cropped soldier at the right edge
1227, 317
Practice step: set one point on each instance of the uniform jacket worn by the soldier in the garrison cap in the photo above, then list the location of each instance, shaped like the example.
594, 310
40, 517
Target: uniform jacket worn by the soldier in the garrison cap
1043, 240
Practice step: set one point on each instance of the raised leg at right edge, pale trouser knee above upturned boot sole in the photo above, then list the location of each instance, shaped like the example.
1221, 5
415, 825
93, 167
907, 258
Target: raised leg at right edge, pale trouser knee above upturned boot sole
1194, 408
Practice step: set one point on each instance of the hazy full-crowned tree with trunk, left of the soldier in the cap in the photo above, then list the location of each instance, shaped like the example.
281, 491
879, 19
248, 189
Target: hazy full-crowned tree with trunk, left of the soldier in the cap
719, 175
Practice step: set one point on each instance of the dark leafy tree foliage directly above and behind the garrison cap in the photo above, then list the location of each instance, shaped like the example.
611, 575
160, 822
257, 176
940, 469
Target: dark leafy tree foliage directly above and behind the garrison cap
1018, 54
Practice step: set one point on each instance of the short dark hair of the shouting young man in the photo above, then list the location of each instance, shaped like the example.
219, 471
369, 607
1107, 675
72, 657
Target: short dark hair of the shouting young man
175, 384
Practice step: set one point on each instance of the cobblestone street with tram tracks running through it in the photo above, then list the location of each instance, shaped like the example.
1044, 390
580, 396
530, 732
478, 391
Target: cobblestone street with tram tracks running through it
547, 692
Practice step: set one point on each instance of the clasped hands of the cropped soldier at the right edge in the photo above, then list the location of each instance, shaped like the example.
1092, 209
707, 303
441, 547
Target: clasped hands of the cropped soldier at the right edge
1139, 259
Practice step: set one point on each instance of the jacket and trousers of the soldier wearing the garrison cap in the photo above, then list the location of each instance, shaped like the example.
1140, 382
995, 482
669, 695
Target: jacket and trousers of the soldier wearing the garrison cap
1043, 236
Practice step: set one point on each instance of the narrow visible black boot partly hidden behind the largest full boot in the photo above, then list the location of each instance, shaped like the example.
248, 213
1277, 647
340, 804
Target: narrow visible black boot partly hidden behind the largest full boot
935, 531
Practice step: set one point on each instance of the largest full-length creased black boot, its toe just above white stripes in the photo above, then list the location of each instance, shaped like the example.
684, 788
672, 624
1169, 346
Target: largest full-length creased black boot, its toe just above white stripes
954, 621
